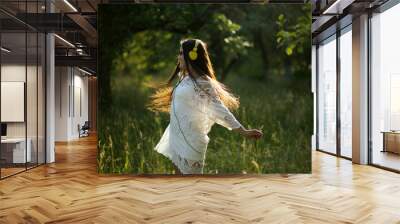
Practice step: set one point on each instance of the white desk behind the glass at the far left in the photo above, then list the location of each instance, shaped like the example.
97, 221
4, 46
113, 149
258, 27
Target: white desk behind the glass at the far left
13, 150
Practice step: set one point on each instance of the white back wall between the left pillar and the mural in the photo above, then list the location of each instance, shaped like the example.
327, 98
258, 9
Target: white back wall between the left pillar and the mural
71, 93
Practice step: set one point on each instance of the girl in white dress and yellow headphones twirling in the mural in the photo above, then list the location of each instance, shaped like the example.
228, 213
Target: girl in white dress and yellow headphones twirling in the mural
196, 102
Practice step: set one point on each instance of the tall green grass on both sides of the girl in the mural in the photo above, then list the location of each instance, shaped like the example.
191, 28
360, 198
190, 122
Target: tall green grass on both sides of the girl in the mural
128, 132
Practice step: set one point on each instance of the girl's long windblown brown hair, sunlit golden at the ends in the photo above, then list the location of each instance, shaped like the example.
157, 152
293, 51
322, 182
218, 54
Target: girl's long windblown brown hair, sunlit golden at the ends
161, 99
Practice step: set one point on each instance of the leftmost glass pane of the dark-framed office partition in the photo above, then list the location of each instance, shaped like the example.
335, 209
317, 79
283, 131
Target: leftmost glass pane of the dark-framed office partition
14, 153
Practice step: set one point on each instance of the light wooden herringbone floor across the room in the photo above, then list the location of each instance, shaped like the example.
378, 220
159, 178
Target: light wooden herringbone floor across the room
70, 191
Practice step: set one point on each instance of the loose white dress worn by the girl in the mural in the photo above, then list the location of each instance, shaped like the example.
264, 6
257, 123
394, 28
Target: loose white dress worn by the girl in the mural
193, 113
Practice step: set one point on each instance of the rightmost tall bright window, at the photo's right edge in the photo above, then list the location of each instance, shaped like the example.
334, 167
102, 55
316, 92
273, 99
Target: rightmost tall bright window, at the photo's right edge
385, 88
